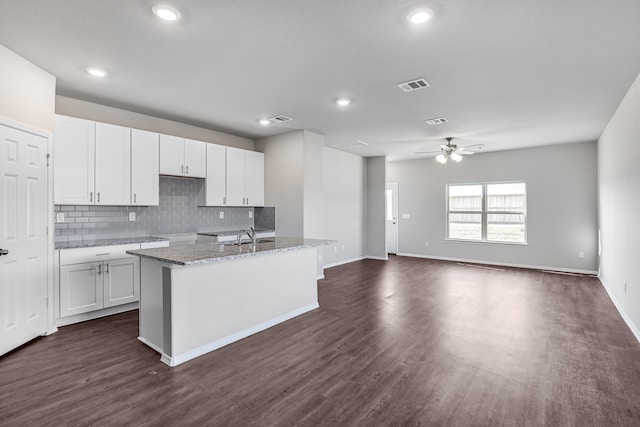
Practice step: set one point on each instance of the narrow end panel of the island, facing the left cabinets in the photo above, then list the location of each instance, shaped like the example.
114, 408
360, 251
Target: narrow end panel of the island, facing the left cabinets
151, 304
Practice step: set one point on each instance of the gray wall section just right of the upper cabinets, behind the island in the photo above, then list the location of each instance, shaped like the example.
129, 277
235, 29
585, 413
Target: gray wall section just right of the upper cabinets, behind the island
284, 180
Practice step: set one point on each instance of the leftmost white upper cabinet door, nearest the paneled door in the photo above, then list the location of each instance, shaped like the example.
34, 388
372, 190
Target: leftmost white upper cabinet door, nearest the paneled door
73, 161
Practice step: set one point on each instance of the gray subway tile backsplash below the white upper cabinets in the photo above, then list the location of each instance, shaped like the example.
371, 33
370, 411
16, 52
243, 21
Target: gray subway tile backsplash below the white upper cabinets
177, 213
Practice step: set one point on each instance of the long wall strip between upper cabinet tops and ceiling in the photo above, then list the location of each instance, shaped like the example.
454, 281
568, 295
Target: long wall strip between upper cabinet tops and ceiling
102, 113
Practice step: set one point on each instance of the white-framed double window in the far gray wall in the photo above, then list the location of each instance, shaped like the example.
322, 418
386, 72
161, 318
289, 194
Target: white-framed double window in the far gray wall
491, 212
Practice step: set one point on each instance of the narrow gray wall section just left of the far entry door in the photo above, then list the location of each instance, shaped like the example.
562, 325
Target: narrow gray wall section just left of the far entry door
375, 236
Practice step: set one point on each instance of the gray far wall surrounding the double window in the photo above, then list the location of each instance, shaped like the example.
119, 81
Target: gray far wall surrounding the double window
561, 202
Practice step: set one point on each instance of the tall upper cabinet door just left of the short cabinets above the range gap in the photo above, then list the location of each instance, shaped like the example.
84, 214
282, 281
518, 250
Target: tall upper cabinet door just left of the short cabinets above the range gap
145, 162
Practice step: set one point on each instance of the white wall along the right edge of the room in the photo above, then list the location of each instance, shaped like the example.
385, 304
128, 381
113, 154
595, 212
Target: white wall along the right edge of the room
619, 207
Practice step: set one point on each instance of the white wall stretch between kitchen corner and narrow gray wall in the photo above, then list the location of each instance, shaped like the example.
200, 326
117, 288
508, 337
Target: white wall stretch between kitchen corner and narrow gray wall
344, 215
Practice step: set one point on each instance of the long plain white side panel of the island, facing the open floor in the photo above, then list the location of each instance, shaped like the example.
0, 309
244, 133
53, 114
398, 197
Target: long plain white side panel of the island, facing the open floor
220, 302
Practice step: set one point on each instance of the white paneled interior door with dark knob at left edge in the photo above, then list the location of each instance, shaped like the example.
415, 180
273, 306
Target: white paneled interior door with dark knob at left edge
23, 240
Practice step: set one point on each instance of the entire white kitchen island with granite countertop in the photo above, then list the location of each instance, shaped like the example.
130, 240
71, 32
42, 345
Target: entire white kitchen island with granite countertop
197, 298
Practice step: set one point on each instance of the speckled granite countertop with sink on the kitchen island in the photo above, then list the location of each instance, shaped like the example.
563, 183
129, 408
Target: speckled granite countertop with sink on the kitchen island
205, 253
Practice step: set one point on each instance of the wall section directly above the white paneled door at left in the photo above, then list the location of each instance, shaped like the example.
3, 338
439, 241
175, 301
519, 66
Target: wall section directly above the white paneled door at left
27, 93
